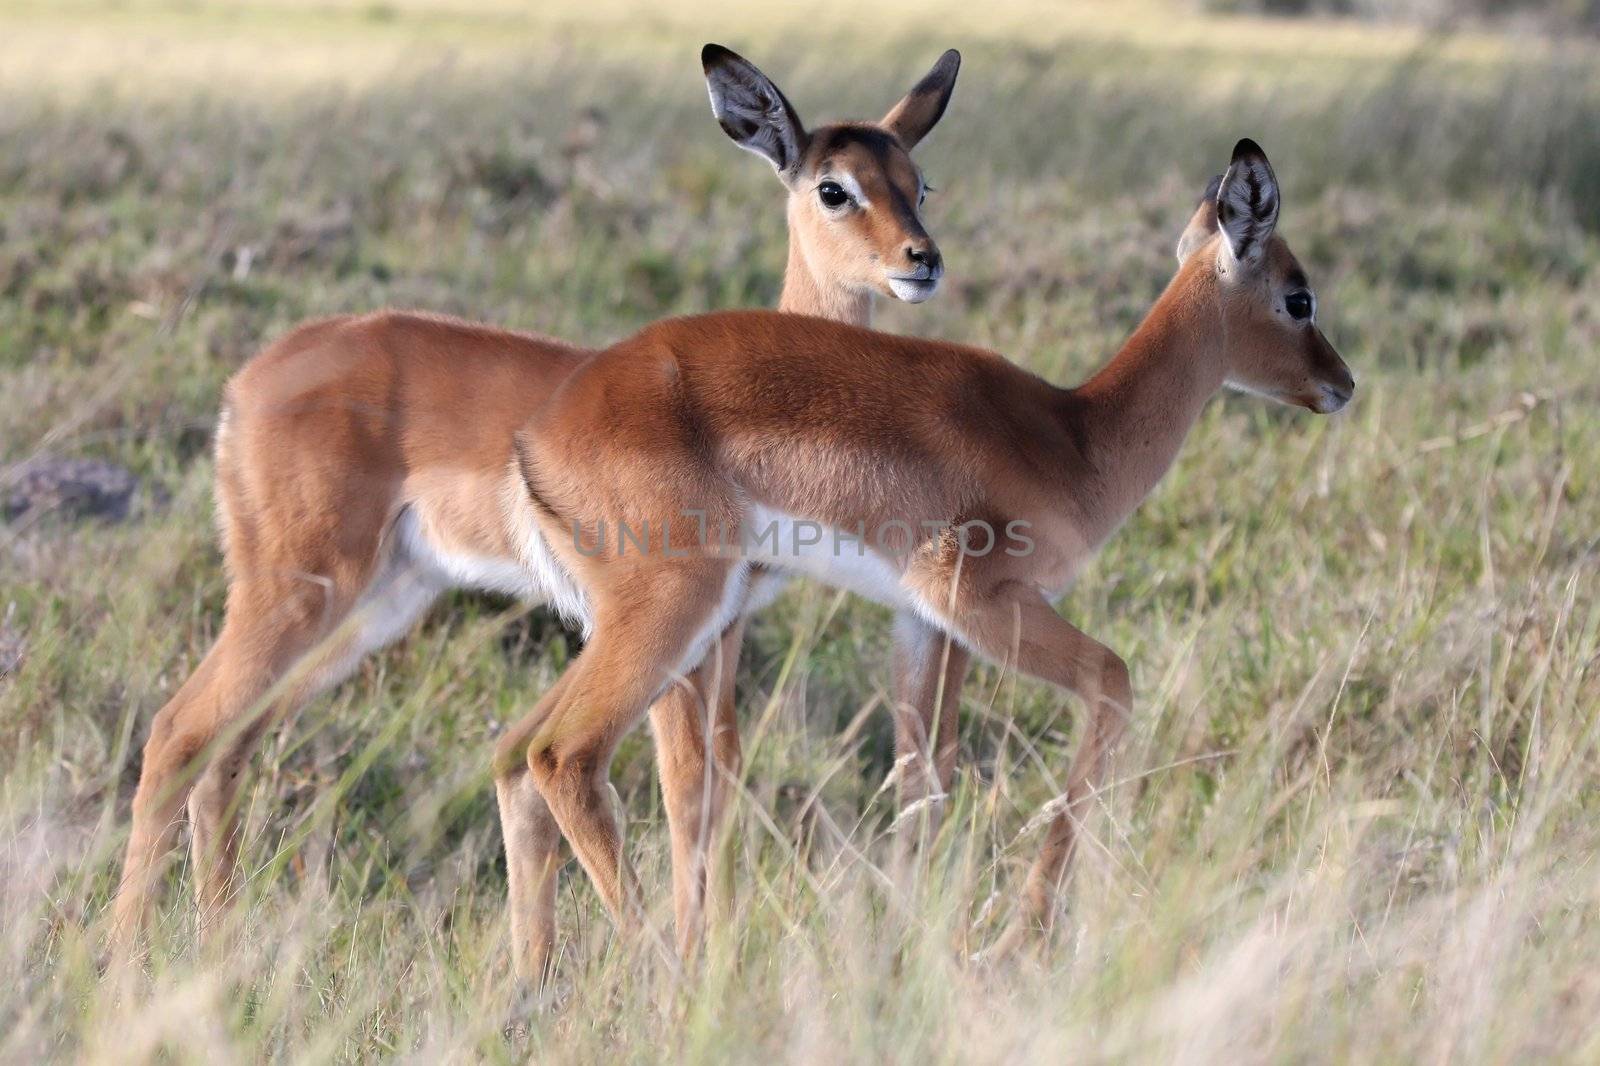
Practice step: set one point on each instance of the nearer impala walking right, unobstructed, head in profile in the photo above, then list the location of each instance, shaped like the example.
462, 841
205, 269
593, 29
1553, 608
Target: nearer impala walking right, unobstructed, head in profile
889, 467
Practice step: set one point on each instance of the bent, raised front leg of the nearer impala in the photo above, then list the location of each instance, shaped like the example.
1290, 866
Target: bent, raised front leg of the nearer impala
1015, 627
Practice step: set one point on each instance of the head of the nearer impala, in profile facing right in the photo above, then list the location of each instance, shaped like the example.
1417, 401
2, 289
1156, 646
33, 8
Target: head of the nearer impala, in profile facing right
1270, 311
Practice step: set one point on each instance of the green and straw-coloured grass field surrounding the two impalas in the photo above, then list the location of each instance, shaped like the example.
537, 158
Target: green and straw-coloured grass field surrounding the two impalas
1358, 814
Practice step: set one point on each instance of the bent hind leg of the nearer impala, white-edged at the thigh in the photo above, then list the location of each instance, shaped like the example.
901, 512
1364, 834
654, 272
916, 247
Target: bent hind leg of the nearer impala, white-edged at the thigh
639, 646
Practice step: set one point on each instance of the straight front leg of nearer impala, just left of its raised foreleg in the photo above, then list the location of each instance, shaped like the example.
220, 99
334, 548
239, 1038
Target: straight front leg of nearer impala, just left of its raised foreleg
930, 670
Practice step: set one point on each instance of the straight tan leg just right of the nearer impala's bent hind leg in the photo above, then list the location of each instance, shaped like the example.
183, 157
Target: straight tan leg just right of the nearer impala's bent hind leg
690, 719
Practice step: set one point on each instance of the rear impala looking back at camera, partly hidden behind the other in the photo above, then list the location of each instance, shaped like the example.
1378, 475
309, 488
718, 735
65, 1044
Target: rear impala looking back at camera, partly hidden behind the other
366, 465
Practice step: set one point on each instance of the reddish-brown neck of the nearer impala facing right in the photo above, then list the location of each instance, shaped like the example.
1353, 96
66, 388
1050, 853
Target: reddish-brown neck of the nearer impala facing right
1134, 415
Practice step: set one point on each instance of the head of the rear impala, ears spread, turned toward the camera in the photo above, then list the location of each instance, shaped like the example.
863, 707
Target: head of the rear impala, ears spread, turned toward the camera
855, 194
